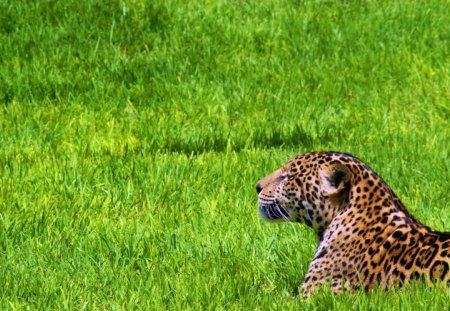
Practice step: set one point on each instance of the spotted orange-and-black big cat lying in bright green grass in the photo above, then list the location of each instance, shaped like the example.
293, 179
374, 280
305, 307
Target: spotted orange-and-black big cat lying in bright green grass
367, 239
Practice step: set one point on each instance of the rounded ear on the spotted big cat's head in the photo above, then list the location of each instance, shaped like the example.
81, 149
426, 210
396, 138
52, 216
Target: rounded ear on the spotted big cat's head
335, 178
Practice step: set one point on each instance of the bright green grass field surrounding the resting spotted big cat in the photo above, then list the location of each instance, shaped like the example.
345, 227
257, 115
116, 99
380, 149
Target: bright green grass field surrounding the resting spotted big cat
132, 134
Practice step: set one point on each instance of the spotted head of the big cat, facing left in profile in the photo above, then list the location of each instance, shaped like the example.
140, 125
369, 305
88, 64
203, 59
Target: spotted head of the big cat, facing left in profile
310, 188
